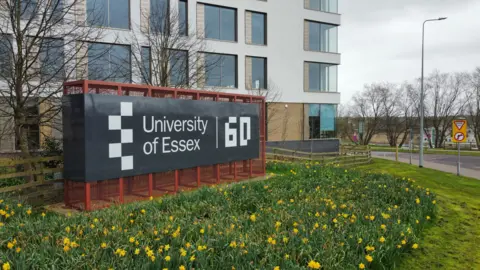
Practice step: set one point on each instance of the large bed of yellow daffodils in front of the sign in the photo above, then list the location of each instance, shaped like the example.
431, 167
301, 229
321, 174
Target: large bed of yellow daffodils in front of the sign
302, 217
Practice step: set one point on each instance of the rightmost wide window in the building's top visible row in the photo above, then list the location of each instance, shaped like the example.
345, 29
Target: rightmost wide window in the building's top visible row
220, 23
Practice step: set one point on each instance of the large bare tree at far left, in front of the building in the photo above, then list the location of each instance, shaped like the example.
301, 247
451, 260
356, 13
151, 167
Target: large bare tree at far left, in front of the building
42, 44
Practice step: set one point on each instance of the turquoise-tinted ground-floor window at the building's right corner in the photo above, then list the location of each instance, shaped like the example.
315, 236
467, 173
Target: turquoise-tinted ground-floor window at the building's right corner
321, 120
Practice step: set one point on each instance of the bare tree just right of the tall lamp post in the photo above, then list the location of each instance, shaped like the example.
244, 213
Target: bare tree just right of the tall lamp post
444, 101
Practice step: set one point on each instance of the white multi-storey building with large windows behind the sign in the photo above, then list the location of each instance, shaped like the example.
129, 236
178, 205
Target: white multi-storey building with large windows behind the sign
286, 50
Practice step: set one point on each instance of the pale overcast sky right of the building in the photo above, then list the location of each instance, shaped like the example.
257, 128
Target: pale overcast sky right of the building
380, 40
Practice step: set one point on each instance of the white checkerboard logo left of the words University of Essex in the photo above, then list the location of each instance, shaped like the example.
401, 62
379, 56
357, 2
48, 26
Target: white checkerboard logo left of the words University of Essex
126, 136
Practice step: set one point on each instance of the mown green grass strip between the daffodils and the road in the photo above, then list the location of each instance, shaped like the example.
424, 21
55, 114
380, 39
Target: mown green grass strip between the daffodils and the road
454, 241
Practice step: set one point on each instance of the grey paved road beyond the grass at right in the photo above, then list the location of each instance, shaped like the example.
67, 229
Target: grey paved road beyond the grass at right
469, 166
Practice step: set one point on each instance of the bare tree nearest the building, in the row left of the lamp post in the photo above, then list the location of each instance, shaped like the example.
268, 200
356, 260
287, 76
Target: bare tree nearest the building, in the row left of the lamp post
367, 108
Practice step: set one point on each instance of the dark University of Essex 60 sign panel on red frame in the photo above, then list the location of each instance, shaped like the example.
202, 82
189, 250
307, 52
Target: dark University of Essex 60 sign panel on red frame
108, 137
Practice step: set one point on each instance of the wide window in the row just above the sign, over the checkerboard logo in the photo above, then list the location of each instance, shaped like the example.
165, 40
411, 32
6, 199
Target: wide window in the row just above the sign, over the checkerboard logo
109, 62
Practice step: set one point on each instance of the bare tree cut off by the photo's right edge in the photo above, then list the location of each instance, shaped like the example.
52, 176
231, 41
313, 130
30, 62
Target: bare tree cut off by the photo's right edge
473, 105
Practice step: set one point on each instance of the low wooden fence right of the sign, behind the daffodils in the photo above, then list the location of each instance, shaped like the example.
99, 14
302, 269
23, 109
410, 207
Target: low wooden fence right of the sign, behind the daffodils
347, 156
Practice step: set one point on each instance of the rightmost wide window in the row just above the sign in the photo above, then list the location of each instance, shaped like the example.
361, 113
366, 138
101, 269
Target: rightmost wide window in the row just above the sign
221, 70
